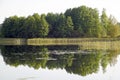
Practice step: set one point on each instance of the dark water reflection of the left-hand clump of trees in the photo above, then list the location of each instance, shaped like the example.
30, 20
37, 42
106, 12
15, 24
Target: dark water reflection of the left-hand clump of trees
25, 55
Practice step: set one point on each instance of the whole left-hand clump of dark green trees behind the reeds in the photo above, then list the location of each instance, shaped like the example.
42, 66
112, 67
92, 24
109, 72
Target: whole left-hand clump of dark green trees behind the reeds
32, 26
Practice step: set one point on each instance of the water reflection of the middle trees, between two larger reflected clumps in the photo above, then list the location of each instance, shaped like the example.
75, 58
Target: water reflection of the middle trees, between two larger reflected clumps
61, 61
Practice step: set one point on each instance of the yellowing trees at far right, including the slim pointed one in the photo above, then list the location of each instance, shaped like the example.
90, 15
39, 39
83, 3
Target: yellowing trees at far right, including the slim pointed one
109, 26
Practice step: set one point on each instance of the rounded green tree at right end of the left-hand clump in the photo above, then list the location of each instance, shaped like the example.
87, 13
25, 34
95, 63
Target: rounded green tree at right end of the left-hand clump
35, 26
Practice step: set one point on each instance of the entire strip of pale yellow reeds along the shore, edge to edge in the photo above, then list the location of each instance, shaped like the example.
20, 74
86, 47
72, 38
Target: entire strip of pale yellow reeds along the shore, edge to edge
84, 43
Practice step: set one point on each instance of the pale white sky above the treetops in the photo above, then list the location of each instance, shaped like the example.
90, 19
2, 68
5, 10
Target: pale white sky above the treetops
28, 7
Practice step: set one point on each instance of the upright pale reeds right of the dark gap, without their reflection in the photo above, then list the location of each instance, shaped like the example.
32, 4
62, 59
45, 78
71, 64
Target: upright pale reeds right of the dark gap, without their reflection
67, 41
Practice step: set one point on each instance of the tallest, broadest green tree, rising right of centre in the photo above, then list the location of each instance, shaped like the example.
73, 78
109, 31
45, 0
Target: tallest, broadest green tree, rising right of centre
86, 21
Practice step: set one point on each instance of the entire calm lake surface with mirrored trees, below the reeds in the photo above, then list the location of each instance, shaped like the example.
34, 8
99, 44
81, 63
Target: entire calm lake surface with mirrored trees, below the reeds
58, 63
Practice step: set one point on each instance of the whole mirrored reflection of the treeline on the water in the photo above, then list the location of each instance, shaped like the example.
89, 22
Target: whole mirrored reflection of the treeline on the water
39, 57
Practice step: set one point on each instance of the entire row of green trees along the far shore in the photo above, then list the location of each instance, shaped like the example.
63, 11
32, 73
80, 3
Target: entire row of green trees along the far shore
77, 22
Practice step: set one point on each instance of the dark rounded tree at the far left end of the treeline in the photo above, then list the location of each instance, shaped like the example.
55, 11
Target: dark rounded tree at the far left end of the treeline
10, 27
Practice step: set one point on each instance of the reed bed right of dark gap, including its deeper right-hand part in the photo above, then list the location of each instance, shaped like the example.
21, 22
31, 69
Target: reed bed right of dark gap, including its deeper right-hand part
84, 43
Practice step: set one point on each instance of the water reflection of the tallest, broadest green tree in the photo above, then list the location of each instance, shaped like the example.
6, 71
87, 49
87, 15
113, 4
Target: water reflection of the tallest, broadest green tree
85, 64
